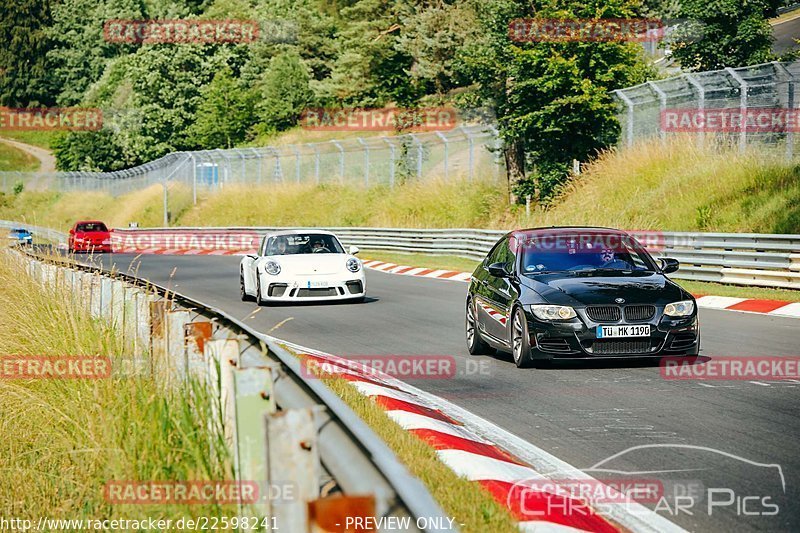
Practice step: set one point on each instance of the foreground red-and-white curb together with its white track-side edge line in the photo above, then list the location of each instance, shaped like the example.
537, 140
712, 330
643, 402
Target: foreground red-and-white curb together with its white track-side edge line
505, 465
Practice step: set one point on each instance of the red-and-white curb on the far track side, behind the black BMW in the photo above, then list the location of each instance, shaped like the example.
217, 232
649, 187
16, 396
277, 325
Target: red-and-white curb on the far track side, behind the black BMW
770, 307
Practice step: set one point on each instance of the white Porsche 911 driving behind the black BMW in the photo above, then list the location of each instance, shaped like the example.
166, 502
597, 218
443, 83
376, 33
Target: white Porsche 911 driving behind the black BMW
294, 265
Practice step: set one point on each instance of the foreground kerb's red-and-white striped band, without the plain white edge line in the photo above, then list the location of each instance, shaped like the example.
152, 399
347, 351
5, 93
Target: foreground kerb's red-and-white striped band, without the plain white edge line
511, 481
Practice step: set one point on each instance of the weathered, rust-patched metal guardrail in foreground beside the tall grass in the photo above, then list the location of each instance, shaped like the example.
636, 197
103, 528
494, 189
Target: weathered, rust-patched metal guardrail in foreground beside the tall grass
260, 380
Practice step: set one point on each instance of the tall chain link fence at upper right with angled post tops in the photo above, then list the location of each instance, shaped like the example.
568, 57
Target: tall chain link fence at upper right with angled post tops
746, 106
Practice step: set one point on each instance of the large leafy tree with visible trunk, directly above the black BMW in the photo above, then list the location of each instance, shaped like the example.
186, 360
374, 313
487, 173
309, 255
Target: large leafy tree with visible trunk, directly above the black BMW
551, 98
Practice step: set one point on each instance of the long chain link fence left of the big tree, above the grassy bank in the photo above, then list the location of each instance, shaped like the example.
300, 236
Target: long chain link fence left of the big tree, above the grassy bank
466, 151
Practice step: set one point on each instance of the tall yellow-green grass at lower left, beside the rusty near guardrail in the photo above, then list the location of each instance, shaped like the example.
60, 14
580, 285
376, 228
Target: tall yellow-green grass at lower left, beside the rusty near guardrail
65, 439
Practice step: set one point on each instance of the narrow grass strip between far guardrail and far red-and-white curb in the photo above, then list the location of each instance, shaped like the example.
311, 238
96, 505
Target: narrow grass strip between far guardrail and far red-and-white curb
449, 262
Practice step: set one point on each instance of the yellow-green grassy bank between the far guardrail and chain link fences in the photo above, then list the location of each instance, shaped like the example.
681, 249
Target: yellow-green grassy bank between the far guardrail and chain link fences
677, 187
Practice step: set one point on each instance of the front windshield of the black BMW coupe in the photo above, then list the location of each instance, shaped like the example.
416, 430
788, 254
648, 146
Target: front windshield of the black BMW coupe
585, 253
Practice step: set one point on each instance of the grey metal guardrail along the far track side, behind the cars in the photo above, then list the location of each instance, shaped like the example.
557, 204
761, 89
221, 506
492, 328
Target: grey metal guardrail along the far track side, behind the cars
754, 259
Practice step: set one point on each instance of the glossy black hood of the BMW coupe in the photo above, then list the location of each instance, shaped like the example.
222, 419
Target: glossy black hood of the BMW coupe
605, 289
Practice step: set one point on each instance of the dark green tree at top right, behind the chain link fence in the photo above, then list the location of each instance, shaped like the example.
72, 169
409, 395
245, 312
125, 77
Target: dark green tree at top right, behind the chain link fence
724, 33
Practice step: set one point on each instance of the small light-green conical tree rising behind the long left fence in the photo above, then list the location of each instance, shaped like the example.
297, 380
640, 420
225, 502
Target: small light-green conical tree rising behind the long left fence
224, 114
